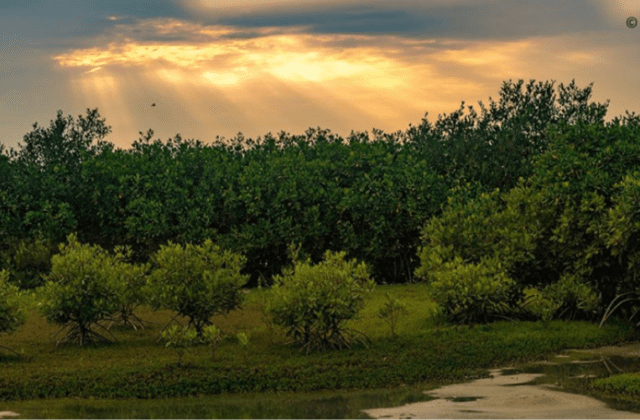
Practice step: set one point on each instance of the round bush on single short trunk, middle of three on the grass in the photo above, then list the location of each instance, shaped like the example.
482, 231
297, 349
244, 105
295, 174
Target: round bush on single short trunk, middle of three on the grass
197, 282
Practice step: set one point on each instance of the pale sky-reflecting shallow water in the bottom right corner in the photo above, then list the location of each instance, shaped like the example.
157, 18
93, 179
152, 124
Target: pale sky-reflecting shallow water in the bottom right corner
534, 392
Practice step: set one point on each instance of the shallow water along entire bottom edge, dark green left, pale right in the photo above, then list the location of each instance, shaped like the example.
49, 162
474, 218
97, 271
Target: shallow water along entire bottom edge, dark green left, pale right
532, 387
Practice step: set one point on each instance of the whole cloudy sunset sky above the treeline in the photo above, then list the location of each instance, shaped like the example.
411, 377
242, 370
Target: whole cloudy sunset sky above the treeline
223, 67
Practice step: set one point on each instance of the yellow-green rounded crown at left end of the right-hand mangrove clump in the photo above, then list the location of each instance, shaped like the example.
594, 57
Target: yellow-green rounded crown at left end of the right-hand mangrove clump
498, 225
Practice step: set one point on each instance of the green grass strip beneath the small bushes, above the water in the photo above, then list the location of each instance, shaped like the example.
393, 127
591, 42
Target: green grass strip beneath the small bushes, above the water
136, 366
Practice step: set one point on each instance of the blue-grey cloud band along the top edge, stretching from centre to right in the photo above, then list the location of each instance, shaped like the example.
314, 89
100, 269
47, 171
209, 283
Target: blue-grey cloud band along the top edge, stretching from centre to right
481, 20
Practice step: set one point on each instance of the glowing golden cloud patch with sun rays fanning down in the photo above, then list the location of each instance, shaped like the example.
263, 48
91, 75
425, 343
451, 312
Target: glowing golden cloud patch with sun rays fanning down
288, 79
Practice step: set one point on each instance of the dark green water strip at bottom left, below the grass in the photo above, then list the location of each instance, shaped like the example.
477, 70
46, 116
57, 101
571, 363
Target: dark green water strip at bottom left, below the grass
319, 406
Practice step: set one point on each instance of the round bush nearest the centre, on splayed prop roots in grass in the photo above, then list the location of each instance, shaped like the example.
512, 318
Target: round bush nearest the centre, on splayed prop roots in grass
314, 302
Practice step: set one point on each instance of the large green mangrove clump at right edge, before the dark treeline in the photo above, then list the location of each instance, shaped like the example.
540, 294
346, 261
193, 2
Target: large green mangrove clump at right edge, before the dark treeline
554, 231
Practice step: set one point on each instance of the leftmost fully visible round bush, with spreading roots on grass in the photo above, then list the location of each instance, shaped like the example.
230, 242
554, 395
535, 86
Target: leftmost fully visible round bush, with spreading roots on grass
82, 289
